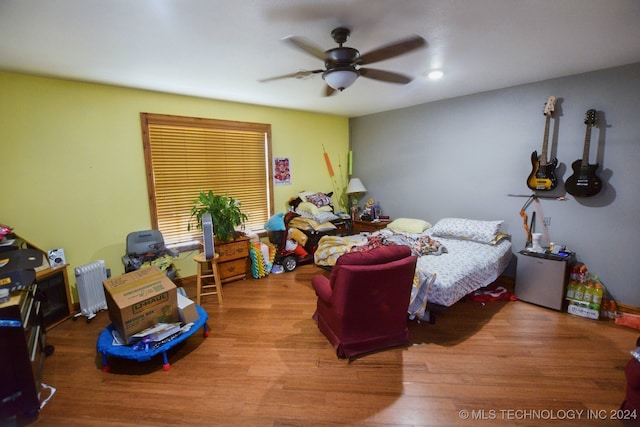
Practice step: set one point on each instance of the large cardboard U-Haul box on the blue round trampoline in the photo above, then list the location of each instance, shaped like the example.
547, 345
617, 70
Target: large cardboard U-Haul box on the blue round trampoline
140, 299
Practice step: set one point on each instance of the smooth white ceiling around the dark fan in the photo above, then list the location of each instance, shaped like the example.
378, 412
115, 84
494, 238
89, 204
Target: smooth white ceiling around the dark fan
221, 48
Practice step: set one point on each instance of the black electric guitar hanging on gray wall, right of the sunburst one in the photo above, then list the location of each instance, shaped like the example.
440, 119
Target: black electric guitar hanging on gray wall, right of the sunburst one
584, 182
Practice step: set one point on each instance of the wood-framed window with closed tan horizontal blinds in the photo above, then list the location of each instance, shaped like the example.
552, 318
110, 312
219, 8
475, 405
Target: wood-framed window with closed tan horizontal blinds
185, 155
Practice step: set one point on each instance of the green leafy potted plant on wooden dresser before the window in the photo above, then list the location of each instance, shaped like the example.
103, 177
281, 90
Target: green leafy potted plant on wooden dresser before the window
225, 211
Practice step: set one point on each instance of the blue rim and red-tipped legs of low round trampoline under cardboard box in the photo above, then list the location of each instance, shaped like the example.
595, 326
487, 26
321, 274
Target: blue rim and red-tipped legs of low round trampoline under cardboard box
106, 348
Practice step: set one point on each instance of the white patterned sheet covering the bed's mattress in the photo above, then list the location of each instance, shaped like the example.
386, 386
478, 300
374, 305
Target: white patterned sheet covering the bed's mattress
466, 267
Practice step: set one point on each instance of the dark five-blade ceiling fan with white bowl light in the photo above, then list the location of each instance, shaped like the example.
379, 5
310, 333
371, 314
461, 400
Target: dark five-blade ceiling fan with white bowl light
343, 64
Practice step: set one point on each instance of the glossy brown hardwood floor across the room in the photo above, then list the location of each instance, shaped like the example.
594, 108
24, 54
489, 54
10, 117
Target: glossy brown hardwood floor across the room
266, 364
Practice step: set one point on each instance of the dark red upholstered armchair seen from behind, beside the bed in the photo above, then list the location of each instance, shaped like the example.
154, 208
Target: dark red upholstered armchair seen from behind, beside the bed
362, 306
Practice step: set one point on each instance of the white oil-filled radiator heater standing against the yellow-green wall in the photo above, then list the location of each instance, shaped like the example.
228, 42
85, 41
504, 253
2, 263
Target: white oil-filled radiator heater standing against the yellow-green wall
89, 280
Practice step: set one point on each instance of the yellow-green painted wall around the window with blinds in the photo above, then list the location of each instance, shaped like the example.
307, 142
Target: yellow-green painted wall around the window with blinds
73, 174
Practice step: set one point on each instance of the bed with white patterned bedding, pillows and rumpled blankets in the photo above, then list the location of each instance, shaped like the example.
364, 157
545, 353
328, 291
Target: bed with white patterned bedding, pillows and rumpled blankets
456, 256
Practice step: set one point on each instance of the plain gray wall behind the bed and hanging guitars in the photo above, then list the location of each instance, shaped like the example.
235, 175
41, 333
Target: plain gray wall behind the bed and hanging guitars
461, 157
